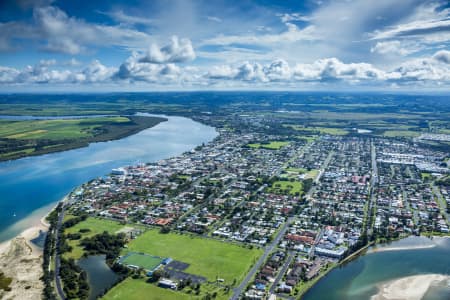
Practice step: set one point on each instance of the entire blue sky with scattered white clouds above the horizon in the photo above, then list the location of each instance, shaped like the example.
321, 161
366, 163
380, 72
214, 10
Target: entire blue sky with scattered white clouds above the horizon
134, 45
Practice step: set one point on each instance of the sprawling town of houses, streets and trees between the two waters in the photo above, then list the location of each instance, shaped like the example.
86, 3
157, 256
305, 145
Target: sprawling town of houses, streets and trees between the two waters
307, 203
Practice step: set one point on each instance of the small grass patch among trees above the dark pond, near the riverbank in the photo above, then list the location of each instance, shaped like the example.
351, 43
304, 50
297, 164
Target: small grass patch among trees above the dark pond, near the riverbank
95, 226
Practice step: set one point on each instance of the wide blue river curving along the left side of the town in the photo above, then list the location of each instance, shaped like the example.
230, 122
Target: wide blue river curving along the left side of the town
30, 186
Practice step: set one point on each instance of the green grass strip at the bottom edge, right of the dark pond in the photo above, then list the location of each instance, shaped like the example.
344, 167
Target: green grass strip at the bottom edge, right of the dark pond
136, 289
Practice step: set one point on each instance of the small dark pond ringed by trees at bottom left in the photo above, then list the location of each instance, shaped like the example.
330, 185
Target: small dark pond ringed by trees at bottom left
100, 276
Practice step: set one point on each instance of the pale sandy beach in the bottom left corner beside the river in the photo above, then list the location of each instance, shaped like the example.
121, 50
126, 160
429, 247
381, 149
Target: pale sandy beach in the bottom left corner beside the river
21, 260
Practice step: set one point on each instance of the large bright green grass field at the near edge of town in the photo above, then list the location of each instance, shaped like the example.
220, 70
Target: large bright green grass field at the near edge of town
207, 257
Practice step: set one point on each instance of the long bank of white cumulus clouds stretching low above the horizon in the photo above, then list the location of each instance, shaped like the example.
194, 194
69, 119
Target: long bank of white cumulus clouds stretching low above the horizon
431, 70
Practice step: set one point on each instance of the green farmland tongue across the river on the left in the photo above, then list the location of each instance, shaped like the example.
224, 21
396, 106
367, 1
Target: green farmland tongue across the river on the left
34, 137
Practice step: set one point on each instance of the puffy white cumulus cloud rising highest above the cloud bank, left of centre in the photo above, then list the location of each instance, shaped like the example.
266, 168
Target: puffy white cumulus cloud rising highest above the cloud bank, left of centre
177, 51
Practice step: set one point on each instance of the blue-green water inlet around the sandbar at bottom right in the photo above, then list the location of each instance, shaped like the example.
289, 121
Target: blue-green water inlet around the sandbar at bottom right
360, 279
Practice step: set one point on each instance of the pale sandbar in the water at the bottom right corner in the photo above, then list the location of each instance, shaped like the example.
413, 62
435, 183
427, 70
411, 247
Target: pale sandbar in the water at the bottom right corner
408, 288
